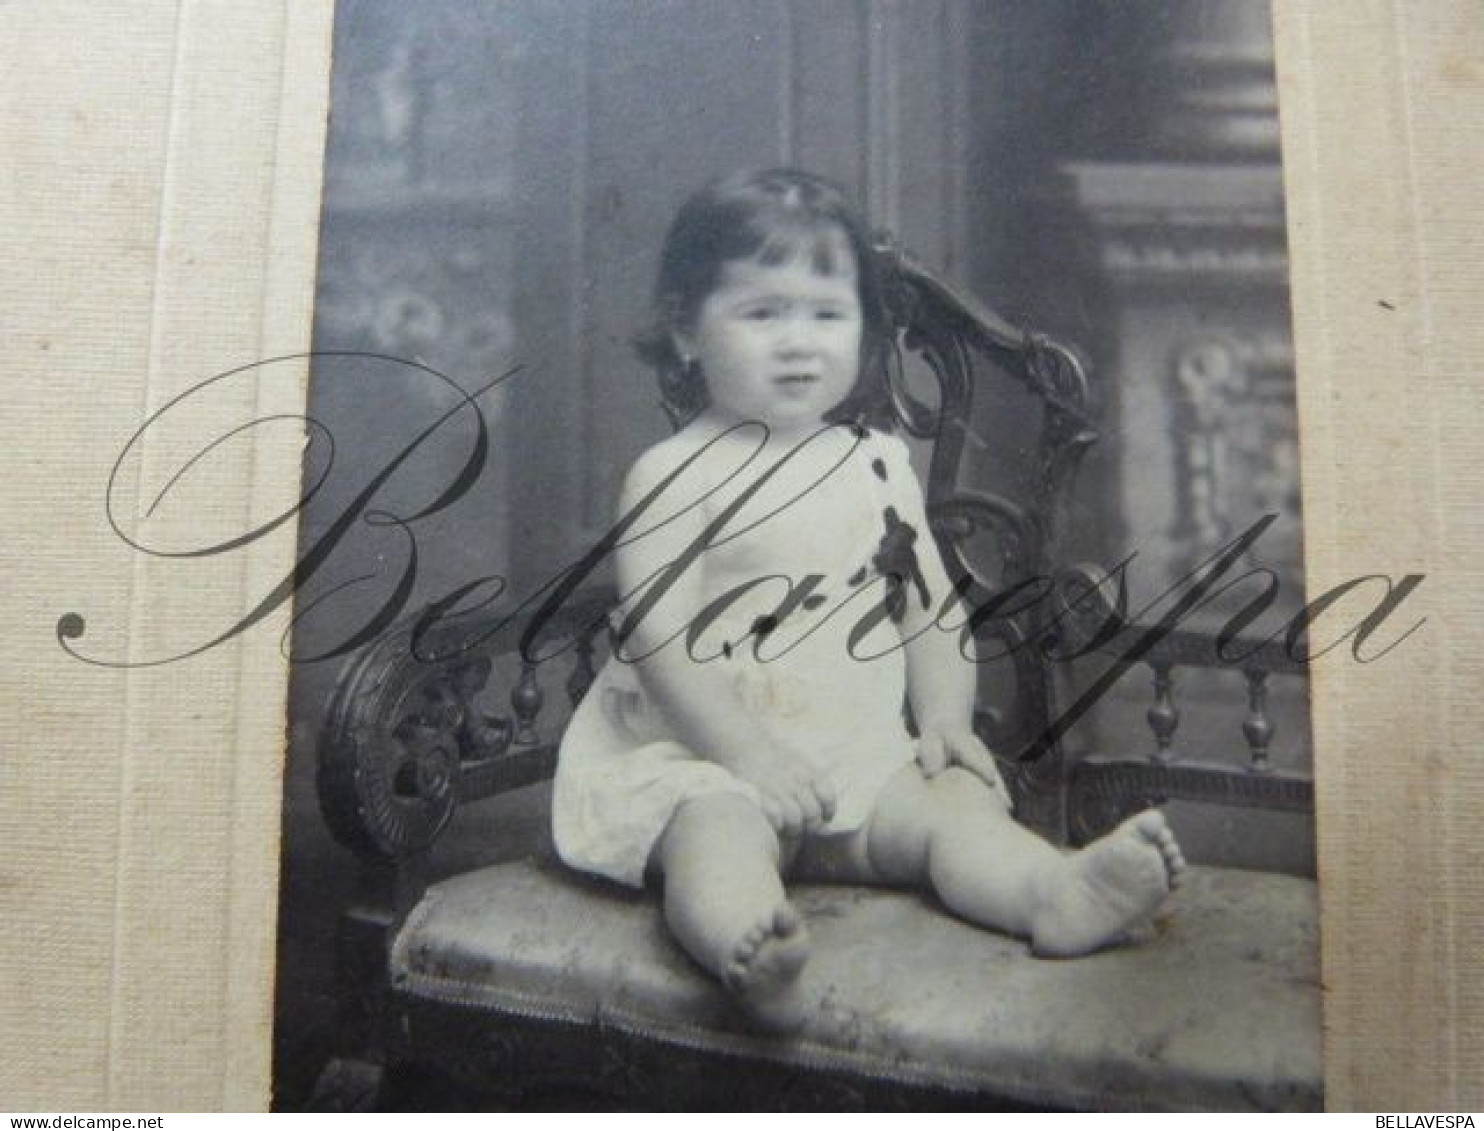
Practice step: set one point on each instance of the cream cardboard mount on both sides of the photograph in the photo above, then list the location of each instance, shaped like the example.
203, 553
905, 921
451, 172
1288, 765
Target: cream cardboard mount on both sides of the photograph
161, 188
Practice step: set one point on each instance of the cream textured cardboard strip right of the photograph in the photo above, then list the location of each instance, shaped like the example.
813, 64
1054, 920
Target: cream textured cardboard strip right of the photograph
1382, 108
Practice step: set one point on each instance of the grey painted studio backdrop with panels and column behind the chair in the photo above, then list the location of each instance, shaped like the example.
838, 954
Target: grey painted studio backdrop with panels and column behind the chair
498, 183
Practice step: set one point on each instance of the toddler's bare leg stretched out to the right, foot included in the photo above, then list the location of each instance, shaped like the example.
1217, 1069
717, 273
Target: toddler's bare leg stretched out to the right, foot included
953, 835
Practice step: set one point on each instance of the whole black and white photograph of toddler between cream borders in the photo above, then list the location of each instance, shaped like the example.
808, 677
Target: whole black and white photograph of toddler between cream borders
801, 594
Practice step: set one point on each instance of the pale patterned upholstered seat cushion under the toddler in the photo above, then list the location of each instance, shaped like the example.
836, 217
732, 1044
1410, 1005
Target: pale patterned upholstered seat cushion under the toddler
1218, 1009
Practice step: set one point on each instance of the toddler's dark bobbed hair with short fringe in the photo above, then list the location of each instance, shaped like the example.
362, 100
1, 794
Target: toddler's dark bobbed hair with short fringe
771, 216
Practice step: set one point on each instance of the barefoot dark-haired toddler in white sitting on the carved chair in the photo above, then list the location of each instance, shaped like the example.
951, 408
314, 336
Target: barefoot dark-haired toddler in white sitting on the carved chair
781, 594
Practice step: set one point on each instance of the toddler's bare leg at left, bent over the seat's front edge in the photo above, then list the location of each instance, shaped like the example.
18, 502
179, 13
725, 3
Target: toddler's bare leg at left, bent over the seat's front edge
726, 905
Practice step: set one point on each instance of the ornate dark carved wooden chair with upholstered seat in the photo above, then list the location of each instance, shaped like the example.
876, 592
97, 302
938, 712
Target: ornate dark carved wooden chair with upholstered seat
523, 976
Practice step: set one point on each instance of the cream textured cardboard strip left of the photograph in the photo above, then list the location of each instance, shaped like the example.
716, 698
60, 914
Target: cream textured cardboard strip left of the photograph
161, 180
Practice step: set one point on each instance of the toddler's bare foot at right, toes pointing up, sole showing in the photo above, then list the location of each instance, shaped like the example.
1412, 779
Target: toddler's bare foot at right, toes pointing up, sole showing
1108, 888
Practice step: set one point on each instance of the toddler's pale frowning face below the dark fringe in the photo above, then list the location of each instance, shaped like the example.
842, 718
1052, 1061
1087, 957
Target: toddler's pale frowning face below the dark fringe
780, 344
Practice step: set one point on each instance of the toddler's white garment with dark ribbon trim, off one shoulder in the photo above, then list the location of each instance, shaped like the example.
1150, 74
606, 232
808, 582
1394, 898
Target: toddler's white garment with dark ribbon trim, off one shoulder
621, 771
